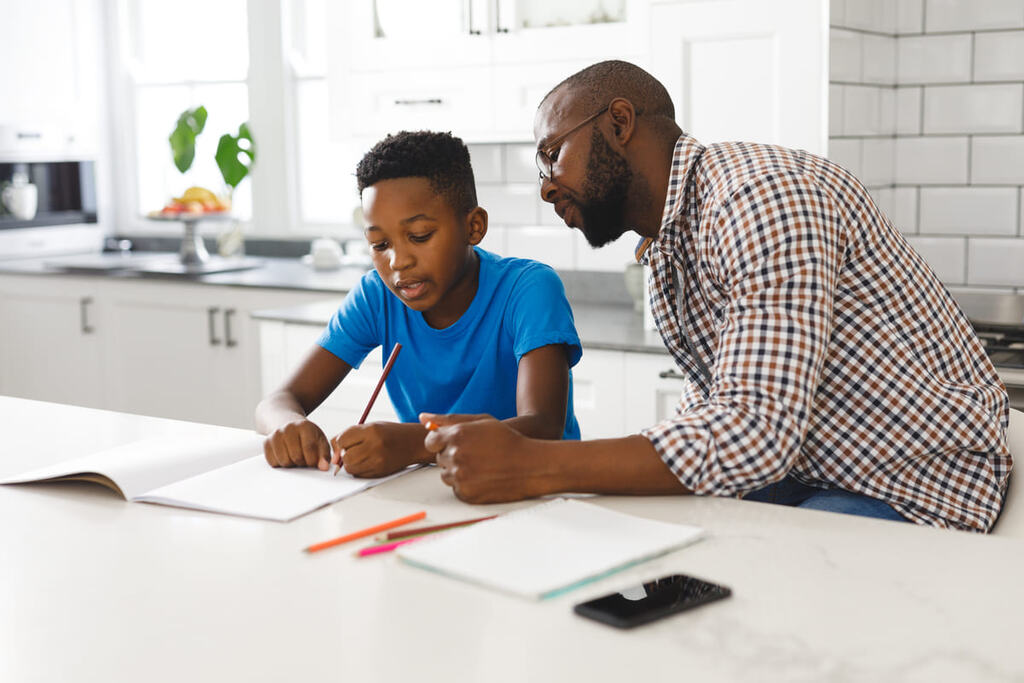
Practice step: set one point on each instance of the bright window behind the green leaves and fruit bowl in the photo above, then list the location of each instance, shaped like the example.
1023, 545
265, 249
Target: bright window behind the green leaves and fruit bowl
177, 57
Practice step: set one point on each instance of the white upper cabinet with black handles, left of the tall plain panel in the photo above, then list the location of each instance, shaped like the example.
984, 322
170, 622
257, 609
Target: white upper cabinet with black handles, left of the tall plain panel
478, 68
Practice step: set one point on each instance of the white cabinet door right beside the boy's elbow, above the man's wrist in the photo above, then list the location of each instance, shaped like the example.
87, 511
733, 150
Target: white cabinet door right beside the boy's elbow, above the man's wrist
599, 397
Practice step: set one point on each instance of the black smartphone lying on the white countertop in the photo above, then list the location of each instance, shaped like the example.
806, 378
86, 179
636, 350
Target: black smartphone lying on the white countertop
655, 600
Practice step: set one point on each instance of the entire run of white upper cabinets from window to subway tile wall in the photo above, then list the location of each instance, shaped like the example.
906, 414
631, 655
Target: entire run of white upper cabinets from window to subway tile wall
753, 70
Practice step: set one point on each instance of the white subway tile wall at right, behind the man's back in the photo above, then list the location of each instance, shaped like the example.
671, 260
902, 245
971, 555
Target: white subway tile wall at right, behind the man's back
948, 124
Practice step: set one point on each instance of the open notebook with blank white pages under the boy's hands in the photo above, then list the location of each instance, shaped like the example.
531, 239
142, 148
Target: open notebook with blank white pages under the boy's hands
218, 474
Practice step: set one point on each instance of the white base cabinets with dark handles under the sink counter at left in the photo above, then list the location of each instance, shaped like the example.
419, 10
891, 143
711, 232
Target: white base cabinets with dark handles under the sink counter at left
169, 350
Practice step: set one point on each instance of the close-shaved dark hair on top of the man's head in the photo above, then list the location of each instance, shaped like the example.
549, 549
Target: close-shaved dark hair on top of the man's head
599, 84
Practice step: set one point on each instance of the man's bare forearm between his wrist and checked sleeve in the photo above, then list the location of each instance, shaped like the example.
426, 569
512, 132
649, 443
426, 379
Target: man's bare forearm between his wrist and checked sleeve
629, 465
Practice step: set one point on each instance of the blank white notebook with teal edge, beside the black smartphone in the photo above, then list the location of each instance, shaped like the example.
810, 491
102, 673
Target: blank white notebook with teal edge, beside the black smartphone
547, 549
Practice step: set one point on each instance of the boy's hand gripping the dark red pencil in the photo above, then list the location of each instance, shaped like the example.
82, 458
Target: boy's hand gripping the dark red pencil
379, 449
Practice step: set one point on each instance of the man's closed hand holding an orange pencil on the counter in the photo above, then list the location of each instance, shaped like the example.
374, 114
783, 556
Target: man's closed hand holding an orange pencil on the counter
484, 460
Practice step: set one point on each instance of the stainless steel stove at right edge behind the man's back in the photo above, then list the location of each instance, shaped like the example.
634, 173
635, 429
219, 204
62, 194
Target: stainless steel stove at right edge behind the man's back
999, 320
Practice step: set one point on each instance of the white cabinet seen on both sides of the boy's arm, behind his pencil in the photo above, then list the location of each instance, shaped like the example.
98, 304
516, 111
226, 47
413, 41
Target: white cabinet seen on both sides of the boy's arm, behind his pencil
285, 346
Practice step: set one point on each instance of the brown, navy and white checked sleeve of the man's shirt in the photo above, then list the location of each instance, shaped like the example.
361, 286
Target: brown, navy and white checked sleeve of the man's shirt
779, 244
